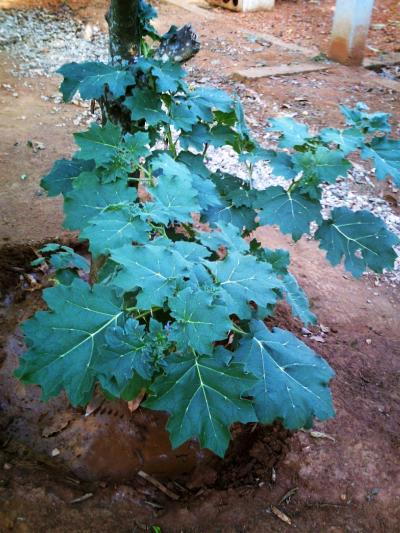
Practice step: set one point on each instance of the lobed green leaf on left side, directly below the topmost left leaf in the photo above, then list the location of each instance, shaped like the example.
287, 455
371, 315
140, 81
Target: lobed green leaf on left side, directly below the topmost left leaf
99, 142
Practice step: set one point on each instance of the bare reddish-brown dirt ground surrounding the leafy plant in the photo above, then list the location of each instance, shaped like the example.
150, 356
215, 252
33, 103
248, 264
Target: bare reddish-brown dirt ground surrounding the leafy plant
345, 482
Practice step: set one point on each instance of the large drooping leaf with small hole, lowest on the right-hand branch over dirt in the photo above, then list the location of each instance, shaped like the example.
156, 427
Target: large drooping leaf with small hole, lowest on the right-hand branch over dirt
361, 238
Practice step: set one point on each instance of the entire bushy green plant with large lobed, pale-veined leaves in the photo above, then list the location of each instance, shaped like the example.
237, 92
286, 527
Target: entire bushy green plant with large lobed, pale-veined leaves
179, 286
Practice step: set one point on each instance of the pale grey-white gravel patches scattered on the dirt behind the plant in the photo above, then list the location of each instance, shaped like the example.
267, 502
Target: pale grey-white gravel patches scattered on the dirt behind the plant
41, 41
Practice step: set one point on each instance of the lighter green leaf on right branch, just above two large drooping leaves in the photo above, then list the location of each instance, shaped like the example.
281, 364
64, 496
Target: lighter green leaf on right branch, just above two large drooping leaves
323, 164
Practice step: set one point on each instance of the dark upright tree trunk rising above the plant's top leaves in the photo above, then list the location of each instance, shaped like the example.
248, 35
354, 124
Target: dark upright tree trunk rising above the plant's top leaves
124, 30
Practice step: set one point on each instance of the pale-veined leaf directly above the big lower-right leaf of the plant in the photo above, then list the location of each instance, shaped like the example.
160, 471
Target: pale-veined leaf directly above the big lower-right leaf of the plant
243, 280
